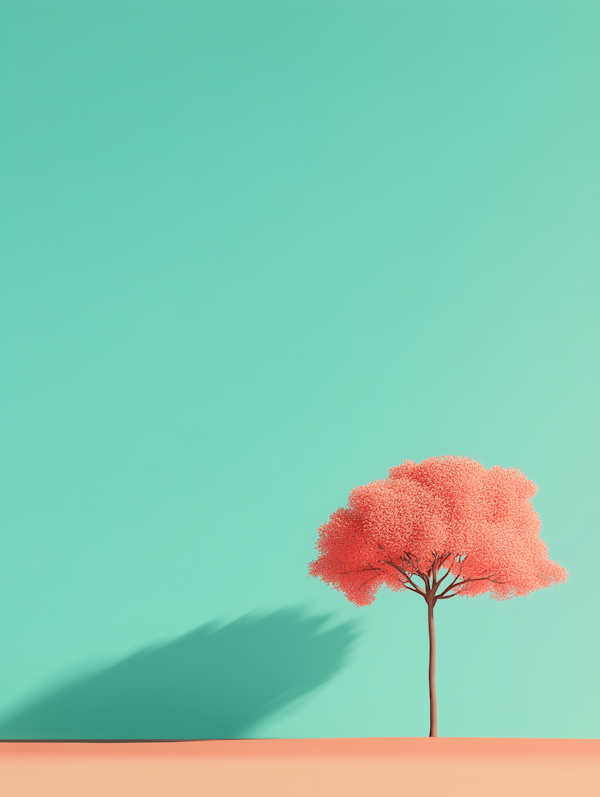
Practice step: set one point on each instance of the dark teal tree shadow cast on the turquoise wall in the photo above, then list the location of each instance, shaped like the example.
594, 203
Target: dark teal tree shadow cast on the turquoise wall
215, 682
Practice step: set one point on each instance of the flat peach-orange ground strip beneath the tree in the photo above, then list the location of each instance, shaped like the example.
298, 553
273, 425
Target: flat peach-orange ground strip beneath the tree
309, 767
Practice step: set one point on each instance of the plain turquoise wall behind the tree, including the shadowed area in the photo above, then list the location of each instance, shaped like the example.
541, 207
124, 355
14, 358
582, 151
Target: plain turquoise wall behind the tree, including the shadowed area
255, 254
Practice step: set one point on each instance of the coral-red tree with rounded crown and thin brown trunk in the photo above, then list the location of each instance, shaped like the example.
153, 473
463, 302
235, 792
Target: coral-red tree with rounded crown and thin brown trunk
443, 528
